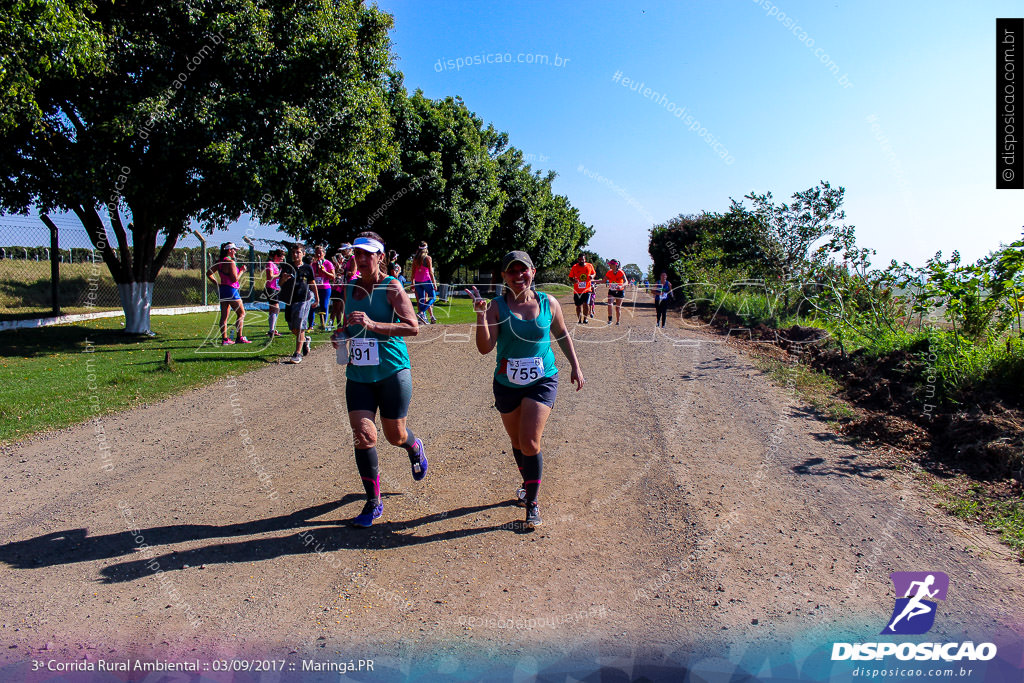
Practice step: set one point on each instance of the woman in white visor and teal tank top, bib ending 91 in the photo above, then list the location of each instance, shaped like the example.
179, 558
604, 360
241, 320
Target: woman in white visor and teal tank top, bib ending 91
377, 314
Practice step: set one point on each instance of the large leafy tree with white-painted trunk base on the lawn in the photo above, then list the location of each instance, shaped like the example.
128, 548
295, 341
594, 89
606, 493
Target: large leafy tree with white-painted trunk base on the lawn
155, 115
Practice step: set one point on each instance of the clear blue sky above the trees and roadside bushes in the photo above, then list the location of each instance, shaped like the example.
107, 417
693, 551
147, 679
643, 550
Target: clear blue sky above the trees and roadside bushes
911, 138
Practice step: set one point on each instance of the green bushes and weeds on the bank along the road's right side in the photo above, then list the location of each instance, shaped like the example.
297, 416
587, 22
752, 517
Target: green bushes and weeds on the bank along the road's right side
932, 357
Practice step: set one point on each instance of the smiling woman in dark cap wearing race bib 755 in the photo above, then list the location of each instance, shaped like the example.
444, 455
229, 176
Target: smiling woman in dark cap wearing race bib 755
520, 323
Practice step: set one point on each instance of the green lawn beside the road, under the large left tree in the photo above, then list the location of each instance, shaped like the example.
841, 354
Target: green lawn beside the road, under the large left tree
49, 381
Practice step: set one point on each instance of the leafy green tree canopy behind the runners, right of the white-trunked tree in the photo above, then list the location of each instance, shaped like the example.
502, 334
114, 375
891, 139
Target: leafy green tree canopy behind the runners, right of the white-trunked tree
460, 187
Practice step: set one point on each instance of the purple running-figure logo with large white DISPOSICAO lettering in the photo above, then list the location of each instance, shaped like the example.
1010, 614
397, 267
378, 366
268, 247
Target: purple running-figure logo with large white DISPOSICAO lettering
918, 593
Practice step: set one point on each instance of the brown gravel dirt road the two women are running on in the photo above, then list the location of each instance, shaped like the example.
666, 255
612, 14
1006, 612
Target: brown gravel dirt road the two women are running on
687, 502
